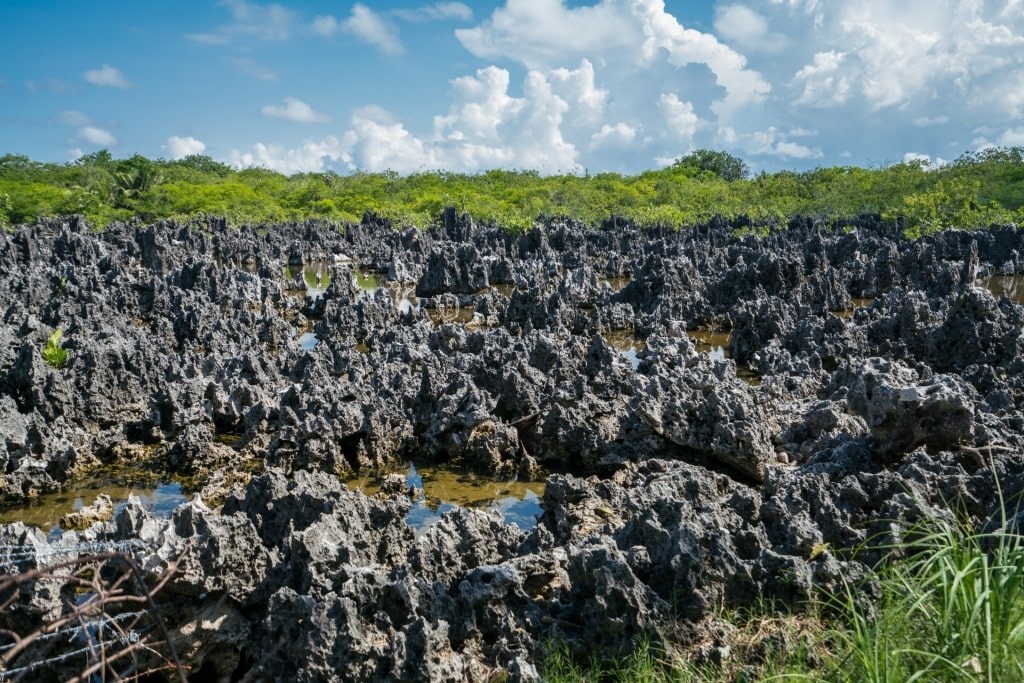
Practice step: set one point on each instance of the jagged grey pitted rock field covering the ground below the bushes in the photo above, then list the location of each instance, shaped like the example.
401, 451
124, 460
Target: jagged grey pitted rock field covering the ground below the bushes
685, 482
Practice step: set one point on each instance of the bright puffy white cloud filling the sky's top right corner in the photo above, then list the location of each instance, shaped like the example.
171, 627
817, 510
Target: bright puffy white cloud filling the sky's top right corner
893, 54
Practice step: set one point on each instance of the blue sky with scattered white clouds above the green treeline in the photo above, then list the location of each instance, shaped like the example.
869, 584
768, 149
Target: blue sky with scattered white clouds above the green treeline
552, 86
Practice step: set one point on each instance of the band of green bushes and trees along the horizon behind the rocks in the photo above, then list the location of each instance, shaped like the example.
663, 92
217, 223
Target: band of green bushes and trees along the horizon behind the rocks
977, 190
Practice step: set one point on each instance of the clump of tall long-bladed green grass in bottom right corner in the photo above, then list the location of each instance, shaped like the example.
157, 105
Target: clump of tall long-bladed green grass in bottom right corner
952, 609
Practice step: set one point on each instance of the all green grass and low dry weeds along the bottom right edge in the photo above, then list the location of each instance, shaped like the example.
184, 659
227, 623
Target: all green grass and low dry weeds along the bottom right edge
952, 609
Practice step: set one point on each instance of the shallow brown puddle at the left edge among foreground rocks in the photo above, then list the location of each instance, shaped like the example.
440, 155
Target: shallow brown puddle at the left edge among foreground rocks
46, 511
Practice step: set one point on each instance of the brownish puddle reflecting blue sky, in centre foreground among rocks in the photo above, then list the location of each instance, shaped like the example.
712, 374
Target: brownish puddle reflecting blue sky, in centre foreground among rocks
440, 489
